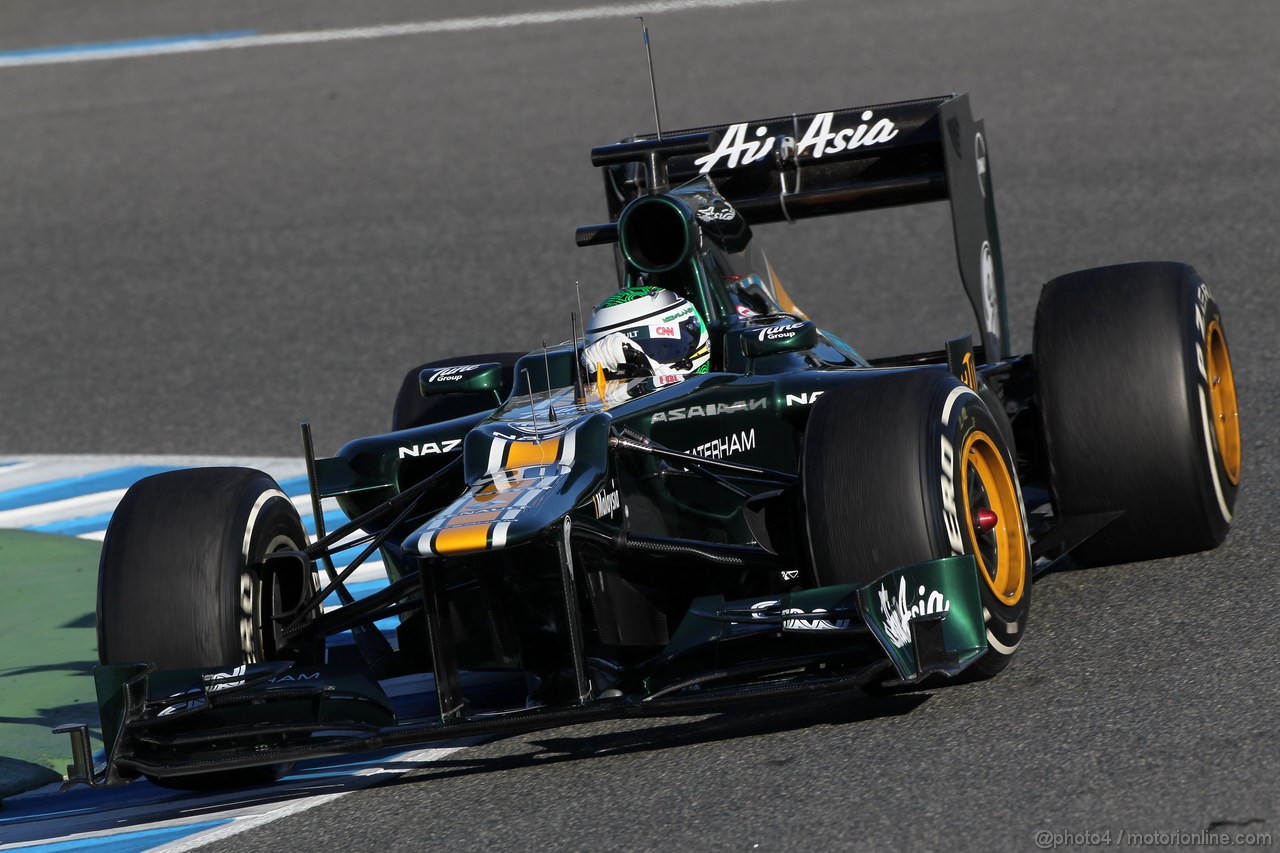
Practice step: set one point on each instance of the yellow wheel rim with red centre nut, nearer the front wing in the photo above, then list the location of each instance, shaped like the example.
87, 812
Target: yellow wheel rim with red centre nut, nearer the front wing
1000, 551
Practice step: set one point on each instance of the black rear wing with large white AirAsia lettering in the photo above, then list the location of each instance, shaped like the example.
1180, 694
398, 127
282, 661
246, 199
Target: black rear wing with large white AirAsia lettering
819, 165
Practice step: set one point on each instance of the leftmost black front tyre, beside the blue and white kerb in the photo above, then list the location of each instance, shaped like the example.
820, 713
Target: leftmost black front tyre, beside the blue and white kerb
179, 585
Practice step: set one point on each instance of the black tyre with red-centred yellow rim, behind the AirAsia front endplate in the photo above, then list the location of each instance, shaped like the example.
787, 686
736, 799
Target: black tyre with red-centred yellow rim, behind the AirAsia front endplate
895, 471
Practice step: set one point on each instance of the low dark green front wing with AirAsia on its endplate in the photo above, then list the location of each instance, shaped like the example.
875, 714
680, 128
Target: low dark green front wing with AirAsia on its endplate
926, 619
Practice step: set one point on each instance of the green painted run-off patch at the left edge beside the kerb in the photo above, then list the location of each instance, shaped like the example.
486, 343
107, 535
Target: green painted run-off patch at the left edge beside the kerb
48, 650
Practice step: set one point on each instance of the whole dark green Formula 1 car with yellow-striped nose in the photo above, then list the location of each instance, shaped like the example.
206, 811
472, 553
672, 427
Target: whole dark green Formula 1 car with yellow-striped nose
796, 519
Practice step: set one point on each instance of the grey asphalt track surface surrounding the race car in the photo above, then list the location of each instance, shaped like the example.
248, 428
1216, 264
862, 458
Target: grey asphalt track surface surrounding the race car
202, 250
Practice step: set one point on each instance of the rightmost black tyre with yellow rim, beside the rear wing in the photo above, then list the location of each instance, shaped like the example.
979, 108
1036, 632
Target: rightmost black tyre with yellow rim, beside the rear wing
1137, 399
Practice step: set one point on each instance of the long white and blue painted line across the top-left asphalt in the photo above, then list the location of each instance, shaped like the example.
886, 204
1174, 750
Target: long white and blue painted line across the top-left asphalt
195, 44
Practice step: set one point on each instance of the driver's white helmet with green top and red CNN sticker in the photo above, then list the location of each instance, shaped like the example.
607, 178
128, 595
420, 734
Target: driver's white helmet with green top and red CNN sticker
659, 323
